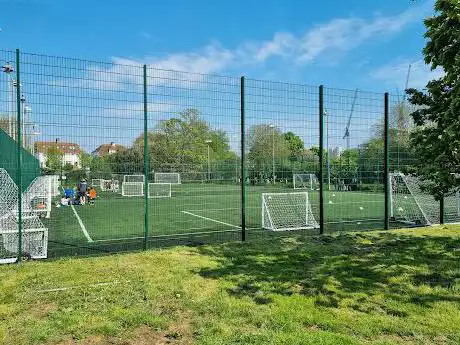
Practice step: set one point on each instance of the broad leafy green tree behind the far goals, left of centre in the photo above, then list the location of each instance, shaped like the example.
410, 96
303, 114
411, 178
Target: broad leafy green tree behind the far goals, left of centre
180, 144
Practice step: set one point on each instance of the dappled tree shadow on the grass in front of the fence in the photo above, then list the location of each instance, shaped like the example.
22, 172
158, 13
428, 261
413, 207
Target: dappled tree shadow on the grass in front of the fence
346, 266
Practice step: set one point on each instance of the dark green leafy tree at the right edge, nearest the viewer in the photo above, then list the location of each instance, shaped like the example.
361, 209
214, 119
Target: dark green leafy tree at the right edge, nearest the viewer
437, 138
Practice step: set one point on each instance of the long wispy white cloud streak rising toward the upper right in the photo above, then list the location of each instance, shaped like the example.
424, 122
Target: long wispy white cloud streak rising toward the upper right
336, 36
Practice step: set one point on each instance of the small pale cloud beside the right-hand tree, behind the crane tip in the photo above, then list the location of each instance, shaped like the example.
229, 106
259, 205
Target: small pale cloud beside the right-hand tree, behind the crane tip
394, 75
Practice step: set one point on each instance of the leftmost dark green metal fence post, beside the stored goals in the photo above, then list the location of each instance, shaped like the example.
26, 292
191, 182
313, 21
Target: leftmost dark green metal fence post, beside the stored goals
19, 154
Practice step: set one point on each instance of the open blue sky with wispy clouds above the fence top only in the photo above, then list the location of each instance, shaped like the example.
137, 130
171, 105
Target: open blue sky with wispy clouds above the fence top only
353, 44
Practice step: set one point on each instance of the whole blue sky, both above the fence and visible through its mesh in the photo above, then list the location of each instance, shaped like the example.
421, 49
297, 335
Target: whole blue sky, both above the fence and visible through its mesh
343, 44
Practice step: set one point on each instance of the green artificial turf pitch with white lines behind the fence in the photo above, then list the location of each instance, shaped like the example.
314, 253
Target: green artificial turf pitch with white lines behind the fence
195, 209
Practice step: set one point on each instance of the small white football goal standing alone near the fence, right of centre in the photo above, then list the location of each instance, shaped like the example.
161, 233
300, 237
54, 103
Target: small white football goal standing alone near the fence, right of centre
287, 211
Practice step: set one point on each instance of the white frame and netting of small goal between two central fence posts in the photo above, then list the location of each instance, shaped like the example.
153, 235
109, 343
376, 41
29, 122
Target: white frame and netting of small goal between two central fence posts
305, 219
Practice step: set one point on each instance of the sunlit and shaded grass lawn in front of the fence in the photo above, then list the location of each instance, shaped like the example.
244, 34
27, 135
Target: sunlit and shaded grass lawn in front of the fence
395, 287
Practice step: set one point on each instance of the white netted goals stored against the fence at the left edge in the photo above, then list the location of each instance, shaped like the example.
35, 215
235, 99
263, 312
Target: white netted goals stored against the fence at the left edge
34, 234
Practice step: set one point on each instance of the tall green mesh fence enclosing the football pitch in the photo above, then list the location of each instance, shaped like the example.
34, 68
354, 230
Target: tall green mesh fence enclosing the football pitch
136, 157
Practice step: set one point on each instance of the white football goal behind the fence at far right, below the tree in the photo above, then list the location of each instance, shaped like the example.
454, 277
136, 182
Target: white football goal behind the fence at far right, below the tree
412, 205
